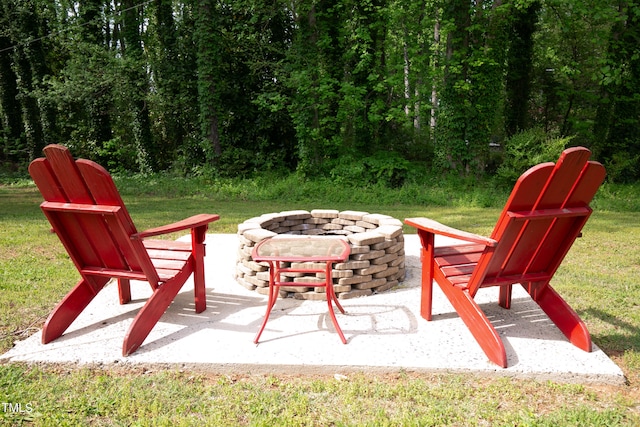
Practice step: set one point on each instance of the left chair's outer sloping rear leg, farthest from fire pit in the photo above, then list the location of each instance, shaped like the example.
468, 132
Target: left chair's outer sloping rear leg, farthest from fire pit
70, 308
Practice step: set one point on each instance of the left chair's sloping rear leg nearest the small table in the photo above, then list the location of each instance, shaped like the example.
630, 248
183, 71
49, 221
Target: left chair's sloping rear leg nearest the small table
152, 311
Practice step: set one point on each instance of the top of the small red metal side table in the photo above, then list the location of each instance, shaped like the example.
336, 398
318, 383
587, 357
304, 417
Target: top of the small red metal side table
285, 247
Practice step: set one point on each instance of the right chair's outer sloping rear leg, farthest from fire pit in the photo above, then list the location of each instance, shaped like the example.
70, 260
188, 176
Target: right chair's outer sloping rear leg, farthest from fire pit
560, 313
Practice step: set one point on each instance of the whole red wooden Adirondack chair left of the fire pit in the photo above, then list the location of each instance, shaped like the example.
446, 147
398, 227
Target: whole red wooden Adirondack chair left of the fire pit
86, 211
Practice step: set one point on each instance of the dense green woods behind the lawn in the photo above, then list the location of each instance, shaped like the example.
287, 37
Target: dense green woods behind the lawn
367, 89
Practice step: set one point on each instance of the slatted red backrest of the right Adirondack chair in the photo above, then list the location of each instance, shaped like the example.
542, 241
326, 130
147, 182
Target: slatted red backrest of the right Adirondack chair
544, 214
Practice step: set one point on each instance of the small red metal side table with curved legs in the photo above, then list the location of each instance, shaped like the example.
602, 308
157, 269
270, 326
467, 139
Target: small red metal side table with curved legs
301, 249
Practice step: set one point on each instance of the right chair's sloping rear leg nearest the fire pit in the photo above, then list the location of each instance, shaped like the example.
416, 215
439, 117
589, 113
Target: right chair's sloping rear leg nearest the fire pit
478, 324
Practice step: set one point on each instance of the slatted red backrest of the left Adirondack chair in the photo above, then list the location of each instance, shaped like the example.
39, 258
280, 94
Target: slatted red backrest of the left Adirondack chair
87, 213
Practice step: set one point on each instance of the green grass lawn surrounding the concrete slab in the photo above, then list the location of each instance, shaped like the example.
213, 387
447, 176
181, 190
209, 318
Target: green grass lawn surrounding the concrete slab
600, 278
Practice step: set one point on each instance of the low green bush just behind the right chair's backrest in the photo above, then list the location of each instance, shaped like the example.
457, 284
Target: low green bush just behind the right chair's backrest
526, 149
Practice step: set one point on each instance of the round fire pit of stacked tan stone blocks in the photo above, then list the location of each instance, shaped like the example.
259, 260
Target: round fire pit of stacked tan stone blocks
376, 263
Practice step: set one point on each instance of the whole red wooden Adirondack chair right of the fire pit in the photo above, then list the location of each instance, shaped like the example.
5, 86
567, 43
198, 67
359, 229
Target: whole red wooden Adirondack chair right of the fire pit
543, 216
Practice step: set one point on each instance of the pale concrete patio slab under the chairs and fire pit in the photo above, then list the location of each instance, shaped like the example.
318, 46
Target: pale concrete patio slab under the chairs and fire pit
385, 333
